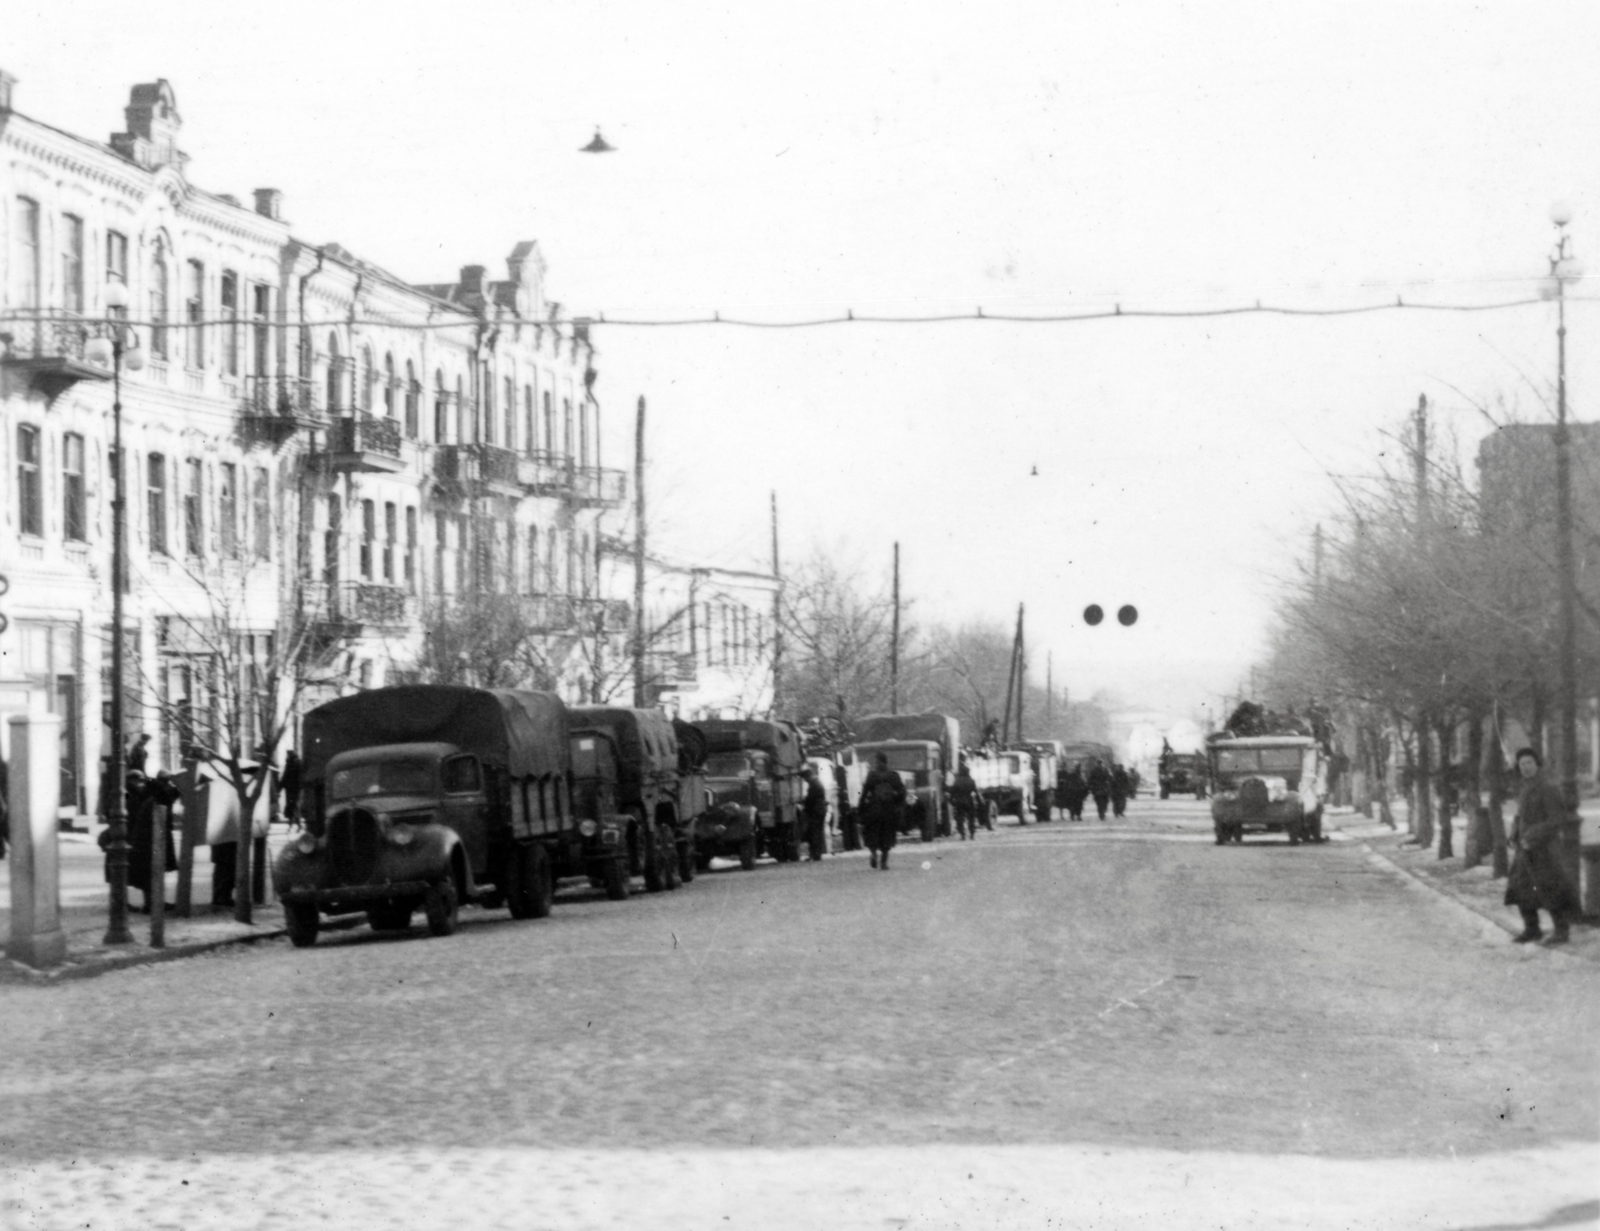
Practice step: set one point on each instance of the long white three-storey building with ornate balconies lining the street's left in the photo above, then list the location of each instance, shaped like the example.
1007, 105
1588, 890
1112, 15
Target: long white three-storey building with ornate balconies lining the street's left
308, 439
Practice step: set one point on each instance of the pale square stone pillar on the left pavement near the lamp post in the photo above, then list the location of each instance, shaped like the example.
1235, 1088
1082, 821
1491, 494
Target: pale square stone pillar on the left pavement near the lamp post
36, 860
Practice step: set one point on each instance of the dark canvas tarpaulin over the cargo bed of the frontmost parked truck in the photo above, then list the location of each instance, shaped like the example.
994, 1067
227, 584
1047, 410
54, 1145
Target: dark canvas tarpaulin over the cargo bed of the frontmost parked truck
522, 732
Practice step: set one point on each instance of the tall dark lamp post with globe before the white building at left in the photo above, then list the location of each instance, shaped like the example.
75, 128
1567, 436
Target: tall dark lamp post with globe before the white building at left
114, 351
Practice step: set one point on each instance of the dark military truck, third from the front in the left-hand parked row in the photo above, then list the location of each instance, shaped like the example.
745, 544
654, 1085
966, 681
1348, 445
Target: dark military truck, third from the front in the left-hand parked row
753, 777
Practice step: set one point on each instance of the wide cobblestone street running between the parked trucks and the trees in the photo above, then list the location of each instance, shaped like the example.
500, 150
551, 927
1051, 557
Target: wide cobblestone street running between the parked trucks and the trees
1095, 1025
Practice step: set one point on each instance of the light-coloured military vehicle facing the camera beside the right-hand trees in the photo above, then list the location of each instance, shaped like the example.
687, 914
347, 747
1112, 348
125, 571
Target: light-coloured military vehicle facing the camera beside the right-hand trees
1265, 785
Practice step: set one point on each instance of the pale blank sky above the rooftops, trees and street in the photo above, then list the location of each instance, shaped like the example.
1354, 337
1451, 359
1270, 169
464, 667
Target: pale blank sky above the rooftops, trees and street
785, 164
